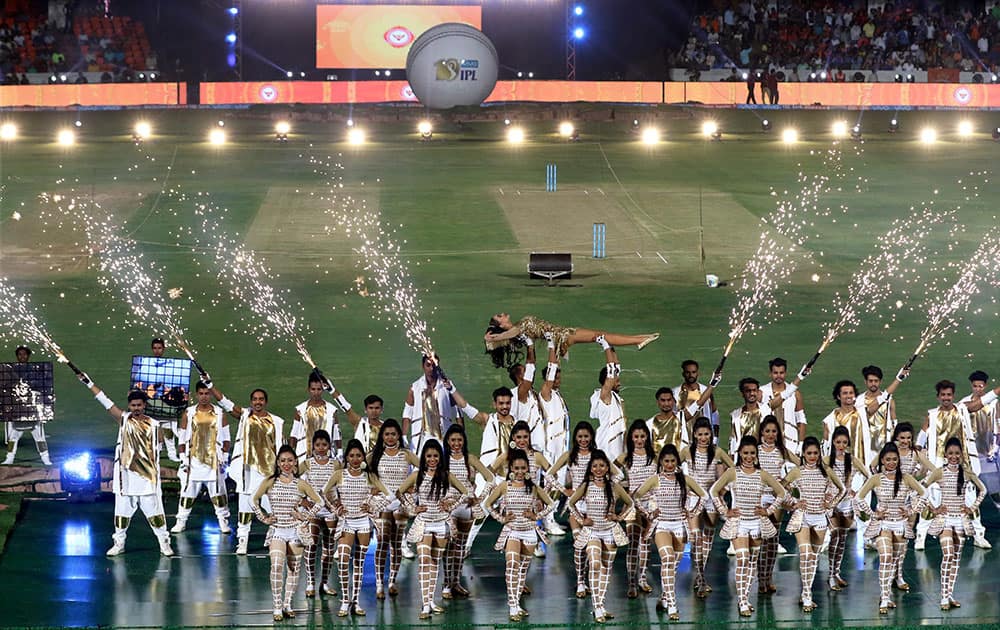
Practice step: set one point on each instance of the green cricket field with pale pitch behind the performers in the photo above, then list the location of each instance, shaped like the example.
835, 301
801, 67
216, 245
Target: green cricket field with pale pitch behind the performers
470, 208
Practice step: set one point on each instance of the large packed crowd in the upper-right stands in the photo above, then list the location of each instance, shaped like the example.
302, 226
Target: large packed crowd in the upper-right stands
807, 35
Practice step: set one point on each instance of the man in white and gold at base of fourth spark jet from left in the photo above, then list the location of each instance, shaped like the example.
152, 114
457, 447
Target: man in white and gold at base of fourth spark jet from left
429, 409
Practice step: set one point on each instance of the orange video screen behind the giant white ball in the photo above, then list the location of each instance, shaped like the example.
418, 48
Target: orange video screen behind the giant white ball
379, 36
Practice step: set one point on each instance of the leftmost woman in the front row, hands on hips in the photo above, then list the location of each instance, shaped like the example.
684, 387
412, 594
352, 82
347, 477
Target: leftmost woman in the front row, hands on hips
285, 490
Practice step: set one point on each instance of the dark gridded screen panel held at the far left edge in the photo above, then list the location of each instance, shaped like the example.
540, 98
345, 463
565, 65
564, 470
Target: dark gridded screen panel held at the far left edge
26, 394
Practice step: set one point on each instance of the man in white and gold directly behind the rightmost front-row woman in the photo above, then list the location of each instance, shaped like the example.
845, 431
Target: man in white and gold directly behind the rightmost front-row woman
943, 422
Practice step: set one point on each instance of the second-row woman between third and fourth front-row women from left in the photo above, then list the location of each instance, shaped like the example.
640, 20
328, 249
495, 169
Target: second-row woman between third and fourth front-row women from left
464, 467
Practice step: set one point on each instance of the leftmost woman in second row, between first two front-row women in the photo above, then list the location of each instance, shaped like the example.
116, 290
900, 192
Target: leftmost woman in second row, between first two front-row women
317, 470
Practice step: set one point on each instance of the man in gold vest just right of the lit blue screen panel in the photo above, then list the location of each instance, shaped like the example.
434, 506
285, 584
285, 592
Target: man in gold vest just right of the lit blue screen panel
203, 436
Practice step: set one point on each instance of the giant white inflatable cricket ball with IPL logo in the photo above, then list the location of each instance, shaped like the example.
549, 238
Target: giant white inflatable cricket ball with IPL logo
452, 65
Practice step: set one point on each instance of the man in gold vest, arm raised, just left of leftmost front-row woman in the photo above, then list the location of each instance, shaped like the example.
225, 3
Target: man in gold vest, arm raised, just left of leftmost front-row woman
255, 451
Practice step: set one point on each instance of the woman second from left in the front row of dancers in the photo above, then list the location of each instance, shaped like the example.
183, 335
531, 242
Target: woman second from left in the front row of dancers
355, 495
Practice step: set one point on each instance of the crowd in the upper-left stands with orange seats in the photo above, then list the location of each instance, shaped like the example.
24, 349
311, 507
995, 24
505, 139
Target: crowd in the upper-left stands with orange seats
115, 46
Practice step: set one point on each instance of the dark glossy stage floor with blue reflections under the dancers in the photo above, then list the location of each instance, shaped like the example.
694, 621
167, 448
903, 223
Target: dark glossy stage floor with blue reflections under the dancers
55, 573
